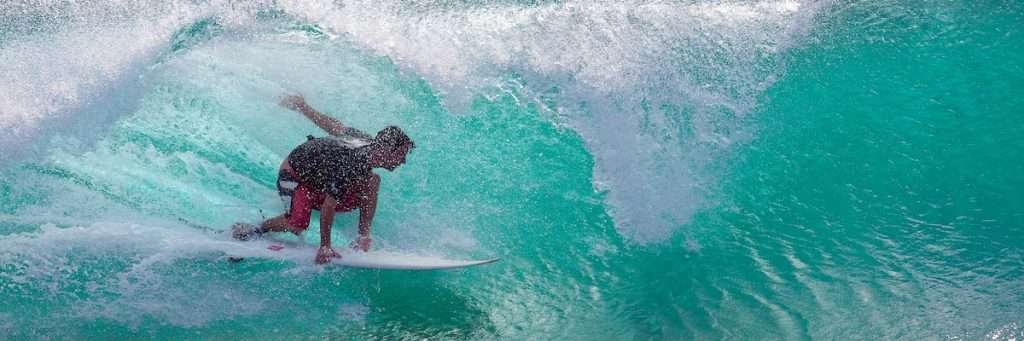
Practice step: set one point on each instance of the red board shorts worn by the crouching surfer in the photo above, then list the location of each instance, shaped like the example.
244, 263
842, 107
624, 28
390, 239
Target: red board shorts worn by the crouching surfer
301, 200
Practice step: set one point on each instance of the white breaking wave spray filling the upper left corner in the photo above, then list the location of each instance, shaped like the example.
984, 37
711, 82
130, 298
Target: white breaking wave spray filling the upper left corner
79, 66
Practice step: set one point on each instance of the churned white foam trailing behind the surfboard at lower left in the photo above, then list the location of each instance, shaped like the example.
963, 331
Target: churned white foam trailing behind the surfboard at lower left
58, 259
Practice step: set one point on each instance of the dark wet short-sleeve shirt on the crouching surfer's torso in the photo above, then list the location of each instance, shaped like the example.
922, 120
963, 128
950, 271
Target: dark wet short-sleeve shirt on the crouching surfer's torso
330, 165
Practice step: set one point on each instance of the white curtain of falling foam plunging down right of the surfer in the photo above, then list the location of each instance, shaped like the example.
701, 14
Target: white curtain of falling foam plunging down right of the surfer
625, 61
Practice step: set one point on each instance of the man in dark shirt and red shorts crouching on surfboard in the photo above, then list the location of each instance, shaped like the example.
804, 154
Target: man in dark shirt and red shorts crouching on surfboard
331, 175
